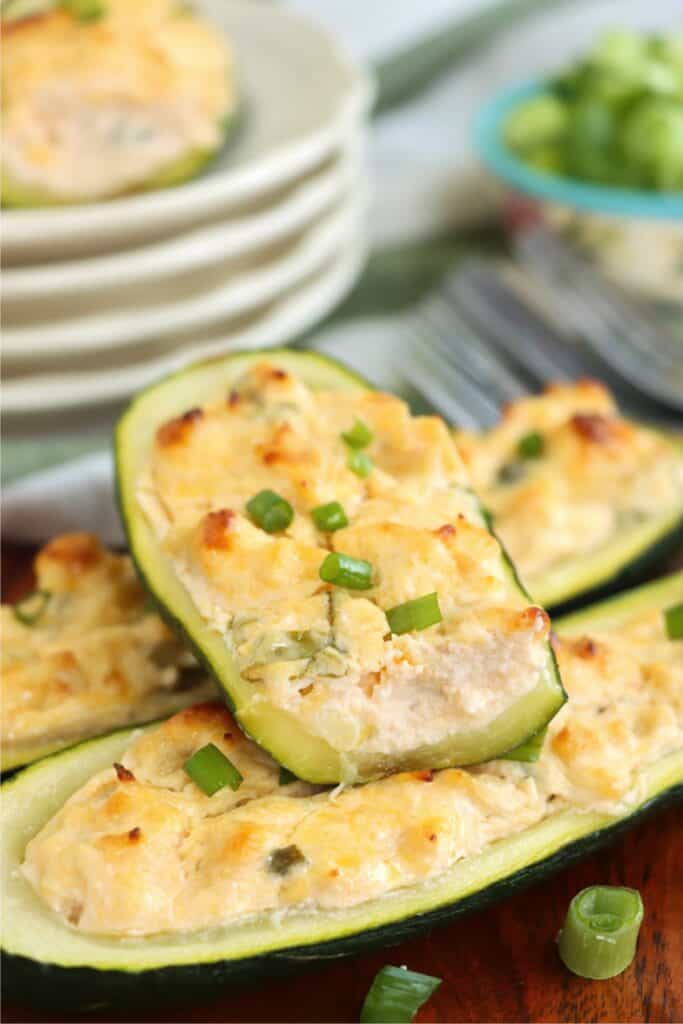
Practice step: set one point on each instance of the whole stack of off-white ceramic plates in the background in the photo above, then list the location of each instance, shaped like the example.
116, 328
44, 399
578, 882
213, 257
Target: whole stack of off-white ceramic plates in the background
102, 300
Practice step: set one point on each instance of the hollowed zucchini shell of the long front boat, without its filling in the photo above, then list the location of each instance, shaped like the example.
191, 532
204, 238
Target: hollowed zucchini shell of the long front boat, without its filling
55, 963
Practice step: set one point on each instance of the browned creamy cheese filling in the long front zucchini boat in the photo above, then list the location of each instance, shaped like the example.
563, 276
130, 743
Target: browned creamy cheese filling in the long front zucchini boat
141, 849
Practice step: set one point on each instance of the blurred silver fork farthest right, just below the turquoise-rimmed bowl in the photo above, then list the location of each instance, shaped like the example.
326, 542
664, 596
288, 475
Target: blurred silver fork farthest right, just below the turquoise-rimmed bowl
630, 342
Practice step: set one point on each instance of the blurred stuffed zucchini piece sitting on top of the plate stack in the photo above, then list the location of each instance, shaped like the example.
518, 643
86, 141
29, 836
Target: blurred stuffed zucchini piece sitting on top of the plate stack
104, 98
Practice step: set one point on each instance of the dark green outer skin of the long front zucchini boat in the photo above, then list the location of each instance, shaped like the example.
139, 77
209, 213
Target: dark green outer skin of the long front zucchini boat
83, 990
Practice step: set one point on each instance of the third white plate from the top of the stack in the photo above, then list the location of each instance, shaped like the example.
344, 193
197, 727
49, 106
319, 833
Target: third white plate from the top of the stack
236, 292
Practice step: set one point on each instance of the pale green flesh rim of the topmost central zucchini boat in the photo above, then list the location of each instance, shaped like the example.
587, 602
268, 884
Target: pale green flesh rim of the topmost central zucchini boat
309, 756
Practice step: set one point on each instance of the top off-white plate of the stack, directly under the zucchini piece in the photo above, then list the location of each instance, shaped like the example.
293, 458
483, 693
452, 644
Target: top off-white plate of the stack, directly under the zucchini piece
301, 98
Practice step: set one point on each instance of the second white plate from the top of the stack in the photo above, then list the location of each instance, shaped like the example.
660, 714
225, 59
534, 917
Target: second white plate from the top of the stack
307, 200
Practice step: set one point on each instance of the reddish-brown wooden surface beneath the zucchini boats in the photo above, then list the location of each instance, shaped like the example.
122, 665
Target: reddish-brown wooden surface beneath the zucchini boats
498, 965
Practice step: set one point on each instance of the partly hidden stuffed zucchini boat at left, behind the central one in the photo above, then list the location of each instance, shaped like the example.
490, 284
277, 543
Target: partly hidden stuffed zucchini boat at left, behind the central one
84, 655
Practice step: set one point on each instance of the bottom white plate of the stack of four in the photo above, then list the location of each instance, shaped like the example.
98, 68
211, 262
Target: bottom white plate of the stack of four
278, 324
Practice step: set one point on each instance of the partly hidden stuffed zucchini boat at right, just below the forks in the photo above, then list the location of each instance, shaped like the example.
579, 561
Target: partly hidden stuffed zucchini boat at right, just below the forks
581, 497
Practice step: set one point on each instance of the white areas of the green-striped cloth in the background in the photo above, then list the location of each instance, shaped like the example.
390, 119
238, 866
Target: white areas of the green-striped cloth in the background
423, 167
